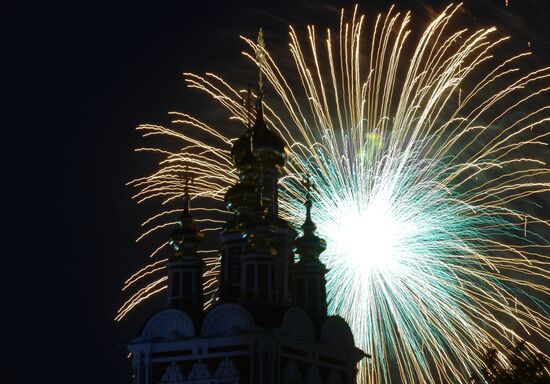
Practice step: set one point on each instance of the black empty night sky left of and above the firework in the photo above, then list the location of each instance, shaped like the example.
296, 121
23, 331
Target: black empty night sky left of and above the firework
79, 78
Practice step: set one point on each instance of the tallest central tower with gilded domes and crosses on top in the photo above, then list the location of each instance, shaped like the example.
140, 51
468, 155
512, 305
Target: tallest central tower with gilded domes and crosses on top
256, 245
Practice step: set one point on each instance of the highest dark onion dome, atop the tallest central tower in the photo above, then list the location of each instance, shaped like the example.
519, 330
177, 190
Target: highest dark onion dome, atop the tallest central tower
266, 144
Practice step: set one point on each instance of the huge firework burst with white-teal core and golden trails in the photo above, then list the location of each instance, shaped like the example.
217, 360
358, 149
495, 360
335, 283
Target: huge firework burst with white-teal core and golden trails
422, 164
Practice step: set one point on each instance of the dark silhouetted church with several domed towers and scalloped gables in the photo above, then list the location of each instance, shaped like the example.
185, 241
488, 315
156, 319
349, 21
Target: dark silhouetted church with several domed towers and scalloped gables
269, 324
